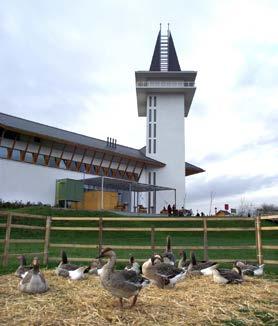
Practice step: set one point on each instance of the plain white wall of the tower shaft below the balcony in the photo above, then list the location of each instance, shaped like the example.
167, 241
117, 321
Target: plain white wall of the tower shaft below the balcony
169, 148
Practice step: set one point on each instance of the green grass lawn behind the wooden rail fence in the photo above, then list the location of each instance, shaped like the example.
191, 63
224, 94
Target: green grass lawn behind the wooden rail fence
134, 238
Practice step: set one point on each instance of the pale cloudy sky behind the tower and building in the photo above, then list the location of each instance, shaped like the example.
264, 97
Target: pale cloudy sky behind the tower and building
70, 64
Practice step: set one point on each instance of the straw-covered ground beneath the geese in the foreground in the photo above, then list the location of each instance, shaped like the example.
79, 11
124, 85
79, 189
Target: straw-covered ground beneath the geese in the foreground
195, 301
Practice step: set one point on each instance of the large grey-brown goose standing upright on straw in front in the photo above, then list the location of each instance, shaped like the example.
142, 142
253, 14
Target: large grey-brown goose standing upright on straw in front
121, 284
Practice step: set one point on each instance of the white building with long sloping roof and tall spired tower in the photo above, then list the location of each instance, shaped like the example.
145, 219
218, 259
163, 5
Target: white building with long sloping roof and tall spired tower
33, 156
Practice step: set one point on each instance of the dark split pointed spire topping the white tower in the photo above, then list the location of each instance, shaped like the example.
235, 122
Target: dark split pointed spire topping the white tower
173, 61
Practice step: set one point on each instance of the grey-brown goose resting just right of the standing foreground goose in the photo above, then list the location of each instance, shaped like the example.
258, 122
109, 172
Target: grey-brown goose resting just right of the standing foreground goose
162, 274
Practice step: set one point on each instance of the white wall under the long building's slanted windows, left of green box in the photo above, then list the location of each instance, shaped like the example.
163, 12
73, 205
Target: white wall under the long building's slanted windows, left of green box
29, 182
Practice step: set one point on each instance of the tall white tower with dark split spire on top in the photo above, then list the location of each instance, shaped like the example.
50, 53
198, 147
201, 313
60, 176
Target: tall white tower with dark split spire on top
164, 96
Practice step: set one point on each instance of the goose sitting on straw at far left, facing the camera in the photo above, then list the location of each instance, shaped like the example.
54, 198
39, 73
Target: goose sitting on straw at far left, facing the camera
34, 281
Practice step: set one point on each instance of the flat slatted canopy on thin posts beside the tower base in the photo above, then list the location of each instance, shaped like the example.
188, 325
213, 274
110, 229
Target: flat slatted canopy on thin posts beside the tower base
124, 185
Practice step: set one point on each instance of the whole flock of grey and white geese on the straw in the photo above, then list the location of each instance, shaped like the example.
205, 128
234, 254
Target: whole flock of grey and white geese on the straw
162, 270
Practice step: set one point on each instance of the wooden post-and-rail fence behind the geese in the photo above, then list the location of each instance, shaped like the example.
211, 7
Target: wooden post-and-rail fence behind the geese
48, 227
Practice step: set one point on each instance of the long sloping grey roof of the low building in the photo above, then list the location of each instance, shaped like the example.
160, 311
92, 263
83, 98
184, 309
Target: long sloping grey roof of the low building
56, 134
